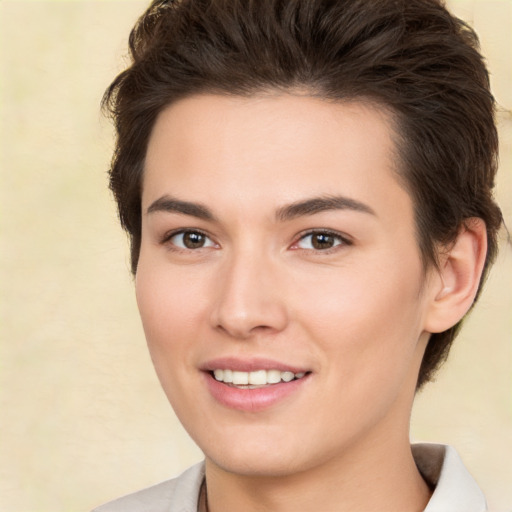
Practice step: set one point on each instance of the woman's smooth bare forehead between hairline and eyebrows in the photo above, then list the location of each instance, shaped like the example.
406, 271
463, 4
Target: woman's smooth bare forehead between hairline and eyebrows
271, 149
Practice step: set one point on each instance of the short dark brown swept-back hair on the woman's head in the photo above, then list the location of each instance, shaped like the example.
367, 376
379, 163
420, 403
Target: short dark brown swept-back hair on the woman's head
411, 57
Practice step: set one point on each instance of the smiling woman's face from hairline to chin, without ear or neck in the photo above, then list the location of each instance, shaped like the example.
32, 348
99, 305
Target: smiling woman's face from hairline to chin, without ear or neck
280, 283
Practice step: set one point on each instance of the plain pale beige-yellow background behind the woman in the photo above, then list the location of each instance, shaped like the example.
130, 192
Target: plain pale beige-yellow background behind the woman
83, 419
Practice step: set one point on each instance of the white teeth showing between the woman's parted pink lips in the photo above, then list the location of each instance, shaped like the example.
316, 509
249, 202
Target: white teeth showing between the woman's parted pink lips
255, 379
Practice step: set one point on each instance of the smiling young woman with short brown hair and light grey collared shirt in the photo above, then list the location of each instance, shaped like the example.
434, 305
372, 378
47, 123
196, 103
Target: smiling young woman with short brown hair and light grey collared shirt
308, 190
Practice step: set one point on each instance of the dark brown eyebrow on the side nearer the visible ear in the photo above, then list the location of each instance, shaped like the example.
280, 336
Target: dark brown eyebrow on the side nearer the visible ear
321, 204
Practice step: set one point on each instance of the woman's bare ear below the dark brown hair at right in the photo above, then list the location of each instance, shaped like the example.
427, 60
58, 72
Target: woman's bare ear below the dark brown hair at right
454, 285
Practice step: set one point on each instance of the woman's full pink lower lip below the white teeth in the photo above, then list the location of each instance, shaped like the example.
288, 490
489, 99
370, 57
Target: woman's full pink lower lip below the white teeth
252, 400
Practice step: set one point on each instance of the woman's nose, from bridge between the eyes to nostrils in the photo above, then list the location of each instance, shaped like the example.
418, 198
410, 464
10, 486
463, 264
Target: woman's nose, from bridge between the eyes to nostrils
249, 300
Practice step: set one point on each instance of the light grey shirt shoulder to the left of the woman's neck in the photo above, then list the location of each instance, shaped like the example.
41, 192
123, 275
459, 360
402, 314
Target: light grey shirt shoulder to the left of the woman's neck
177, 495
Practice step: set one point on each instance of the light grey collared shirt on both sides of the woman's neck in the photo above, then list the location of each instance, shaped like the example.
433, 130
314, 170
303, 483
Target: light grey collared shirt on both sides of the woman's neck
440, 465
